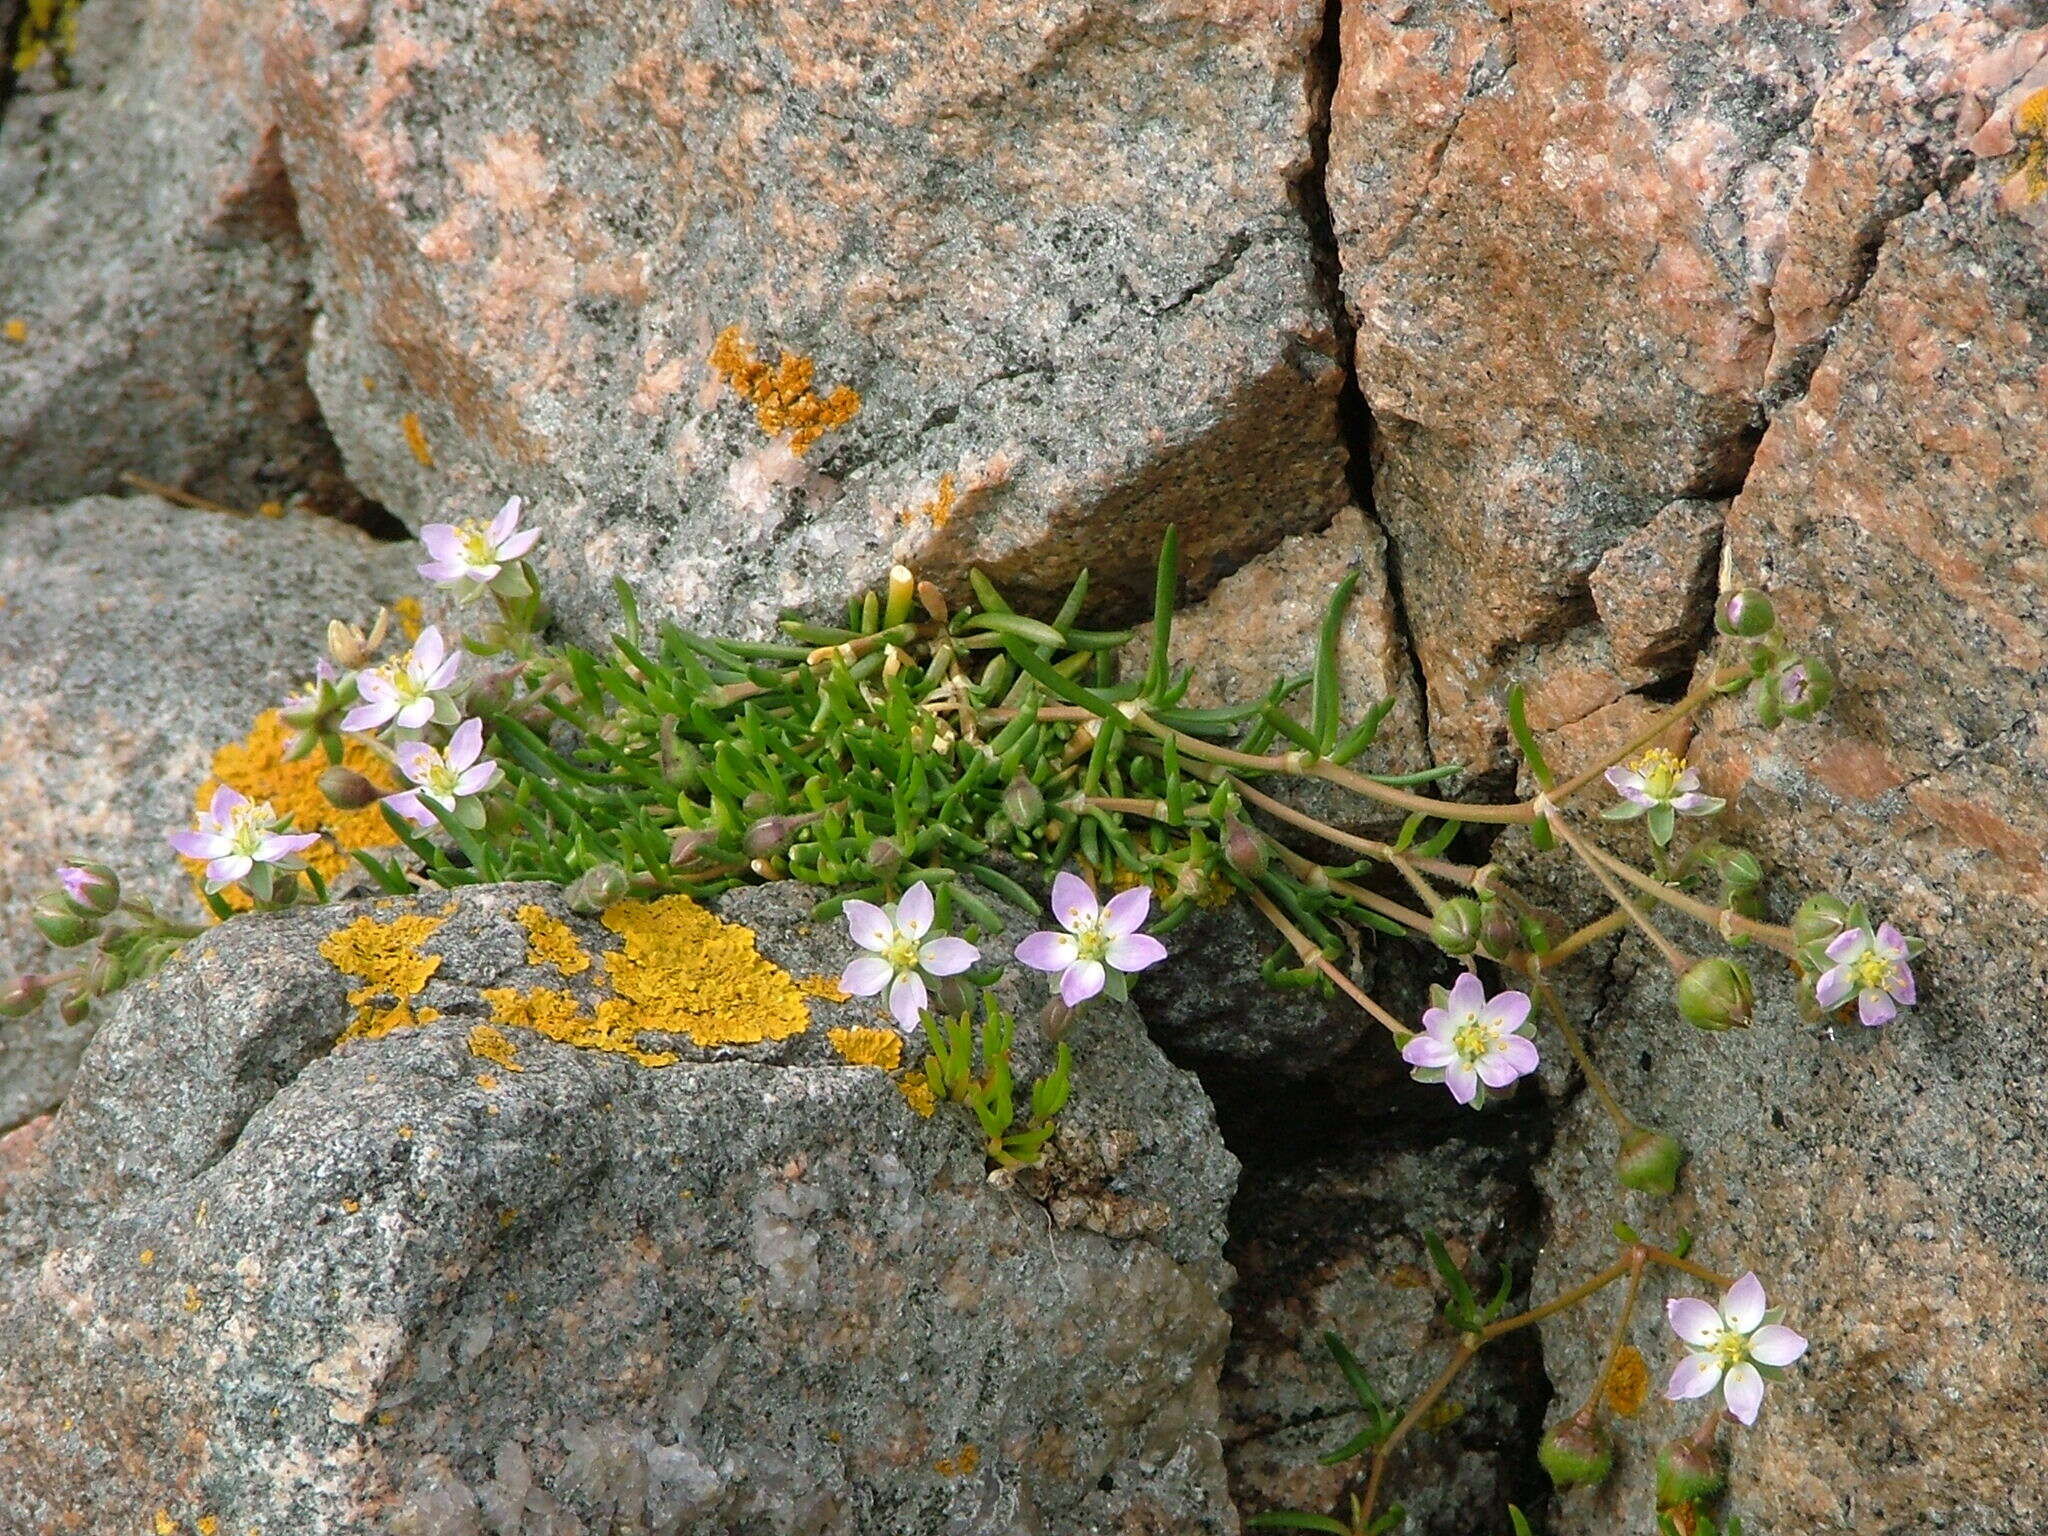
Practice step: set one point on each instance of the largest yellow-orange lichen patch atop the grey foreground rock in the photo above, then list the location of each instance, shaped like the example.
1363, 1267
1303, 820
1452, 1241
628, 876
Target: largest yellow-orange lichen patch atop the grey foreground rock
685, 972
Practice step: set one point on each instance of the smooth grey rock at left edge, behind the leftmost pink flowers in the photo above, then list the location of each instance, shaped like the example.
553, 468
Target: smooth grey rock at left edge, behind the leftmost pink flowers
136, 638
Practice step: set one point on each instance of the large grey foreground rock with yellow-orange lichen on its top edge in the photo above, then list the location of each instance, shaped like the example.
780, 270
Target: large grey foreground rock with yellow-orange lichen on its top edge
388, 1285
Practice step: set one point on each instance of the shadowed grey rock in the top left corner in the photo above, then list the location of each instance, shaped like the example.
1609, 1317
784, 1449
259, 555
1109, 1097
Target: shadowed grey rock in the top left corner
153, 280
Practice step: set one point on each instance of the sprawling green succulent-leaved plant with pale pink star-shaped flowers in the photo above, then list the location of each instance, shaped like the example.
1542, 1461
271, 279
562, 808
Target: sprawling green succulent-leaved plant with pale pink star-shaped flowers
925, 757
